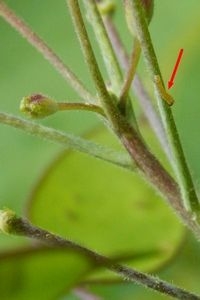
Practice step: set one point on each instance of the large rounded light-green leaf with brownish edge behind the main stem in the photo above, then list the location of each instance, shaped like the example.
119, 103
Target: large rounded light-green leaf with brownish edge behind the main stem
107, 209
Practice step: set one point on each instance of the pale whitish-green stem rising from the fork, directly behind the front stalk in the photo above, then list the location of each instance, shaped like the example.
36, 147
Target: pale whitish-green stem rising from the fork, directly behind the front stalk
107, 52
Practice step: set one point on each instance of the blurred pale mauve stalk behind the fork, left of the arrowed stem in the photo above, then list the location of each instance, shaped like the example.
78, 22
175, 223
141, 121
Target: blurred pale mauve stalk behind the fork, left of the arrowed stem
138, 87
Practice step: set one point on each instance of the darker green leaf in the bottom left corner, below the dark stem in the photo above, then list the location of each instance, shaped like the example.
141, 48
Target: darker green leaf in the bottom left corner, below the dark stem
39, 273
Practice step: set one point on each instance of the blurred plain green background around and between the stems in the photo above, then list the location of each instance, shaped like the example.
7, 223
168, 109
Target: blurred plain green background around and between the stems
23, 71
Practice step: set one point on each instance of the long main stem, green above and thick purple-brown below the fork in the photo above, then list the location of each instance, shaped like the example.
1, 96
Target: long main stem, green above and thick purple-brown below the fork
147, 163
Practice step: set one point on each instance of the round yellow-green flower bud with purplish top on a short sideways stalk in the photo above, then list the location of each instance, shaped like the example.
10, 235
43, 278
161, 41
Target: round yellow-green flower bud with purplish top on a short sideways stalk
38, 106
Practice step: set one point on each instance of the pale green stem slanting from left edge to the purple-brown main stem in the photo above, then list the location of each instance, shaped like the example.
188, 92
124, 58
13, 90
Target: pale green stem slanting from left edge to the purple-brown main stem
68, 141
